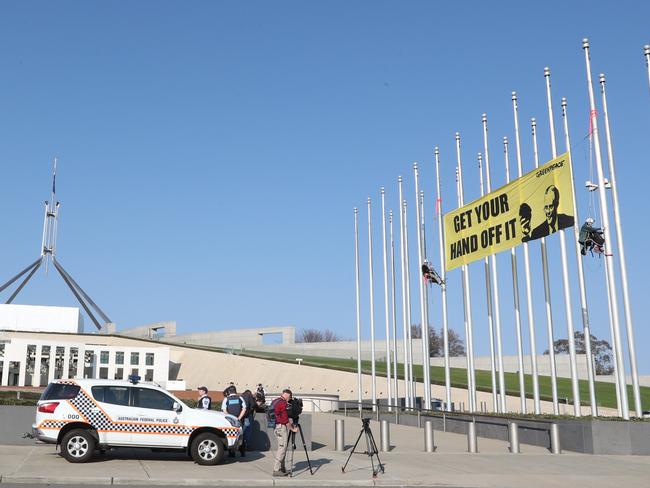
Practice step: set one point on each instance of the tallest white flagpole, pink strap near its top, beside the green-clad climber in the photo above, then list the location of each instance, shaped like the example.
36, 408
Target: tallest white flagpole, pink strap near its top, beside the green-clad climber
609, 263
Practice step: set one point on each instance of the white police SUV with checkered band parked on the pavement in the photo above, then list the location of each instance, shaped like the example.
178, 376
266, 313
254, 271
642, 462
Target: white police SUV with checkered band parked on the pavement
84, 415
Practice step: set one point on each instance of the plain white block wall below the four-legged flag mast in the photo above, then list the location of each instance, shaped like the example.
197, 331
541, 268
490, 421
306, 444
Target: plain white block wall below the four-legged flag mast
40, 318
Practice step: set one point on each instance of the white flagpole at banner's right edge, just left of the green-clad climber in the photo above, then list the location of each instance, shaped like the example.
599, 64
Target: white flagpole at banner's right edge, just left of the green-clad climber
581, 276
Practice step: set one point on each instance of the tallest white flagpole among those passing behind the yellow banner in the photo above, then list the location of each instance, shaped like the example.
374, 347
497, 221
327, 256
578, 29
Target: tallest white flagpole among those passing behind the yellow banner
577, 411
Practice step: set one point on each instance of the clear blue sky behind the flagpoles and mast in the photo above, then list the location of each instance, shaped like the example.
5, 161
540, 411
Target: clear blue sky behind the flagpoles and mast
210, 153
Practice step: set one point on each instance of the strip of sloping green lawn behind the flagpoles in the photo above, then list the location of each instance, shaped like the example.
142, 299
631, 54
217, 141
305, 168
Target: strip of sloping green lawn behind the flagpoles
605, 392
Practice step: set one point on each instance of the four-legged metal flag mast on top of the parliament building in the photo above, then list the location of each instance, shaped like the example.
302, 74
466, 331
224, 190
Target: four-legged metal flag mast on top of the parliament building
48, 253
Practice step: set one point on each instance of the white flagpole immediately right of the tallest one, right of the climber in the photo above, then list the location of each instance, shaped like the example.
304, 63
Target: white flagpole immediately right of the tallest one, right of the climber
621, 256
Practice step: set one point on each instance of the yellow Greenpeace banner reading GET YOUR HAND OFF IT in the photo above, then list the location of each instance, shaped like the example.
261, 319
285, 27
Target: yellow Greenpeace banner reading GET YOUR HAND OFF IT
533, 206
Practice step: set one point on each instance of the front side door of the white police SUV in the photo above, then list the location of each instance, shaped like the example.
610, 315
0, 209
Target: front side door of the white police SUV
158, 423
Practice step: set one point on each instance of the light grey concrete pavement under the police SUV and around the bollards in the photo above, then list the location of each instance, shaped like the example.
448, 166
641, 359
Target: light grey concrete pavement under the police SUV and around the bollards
406, 465
